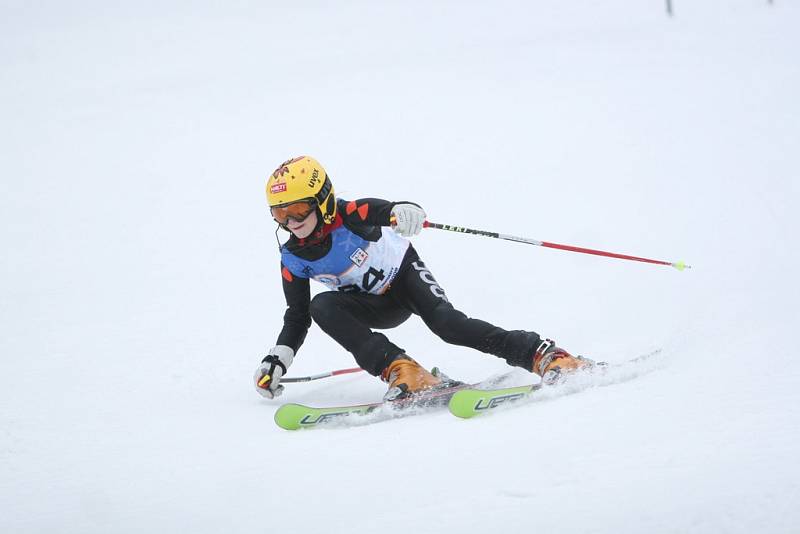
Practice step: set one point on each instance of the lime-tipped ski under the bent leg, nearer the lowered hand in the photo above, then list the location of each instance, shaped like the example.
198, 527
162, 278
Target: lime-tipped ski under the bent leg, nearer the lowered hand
292, 416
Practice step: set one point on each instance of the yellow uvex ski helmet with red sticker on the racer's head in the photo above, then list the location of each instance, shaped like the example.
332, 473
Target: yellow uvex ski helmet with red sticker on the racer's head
302, 178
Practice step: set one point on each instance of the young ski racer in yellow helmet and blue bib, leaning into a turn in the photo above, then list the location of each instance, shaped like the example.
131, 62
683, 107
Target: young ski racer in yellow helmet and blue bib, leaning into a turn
358, 250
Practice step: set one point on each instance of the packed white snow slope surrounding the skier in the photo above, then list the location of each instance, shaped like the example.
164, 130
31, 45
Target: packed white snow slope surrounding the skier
139, 280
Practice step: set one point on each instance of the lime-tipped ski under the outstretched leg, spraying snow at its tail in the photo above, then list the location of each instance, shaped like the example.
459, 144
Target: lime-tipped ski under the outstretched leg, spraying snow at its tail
469, 402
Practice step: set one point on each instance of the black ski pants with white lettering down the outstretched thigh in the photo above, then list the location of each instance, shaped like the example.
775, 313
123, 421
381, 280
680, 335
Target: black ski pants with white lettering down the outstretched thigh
350, 317
